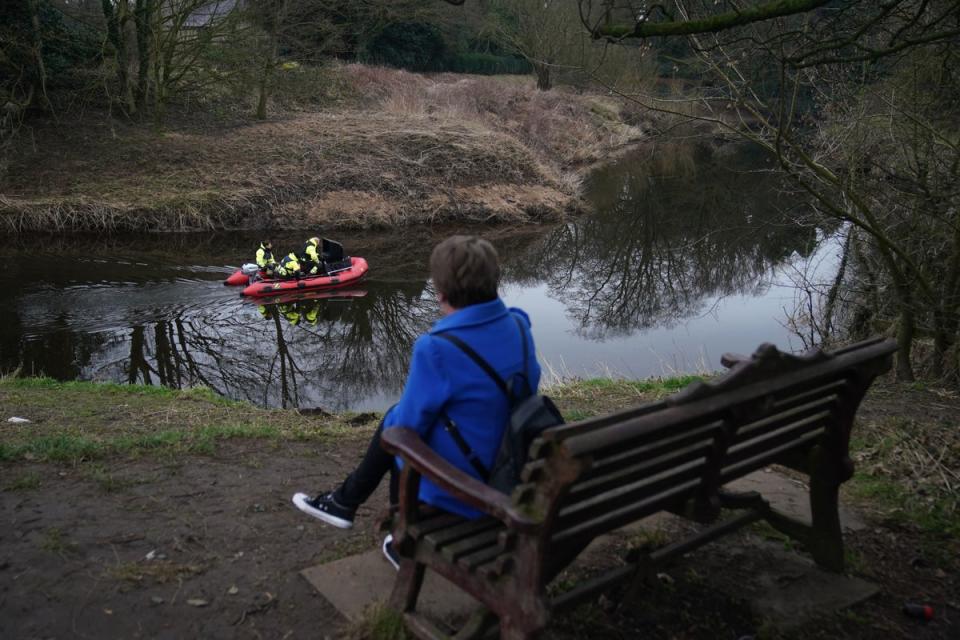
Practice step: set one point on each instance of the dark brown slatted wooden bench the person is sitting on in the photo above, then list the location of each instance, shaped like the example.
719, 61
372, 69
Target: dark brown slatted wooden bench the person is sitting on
588, 478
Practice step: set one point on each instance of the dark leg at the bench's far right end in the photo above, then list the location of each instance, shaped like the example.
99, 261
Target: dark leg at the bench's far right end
826, 534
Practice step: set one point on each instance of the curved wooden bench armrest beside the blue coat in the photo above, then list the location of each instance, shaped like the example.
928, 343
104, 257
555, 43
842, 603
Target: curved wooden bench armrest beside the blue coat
407, 444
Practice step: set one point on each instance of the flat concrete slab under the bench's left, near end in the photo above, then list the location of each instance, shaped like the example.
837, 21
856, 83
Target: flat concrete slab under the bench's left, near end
354, 583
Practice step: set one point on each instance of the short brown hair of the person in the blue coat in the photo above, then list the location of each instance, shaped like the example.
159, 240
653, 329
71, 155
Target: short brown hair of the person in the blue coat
466, 270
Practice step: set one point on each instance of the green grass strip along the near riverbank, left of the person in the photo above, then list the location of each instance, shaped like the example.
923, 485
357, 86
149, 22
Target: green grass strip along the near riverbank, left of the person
74, 422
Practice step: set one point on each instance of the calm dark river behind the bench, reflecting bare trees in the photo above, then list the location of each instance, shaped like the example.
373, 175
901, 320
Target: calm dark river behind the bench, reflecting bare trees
688, 254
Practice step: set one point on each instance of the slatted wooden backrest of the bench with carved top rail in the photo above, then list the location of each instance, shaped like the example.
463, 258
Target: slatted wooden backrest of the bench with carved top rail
596, 475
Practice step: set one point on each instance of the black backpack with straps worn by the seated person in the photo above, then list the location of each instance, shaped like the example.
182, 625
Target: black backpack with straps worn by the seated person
530, 414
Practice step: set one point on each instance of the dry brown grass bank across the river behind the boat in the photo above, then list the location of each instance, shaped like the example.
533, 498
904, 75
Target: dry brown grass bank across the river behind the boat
376, 148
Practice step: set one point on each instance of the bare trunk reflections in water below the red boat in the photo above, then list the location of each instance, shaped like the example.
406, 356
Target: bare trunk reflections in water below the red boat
311, 352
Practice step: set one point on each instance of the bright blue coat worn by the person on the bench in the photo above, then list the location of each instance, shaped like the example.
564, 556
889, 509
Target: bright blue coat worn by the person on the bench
444, 380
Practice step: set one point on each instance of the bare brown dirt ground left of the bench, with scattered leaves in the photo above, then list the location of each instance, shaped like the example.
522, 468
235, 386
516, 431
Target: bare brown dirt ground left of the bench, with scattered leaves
74, 559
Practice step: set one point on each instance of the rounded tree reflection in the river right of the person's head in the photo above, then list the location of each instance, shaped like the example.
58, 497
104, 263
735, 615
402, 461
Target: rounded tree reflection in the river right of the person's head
672, 228
